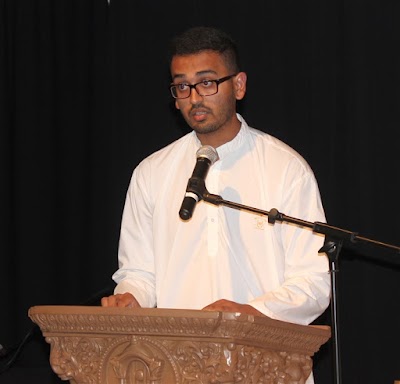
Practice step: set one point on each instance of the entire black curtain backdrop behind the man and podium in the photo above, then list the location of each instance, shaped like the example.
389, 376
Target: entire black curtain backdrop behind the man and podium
84, 97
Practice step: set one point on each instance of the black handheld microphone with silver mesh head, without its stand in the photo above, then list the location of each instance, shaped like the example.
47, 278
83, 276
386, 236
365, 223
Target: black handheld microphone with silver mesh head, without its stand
206, 156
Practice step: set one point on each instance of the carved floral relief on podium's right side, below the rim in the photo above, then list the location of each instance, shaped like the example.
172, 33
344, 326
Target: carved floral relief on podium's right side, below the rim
202, 362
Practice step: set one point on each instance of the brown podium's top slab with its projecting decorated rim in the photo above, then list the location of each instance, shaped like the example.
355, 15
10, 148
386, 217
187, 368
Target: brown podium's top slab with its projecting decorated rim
182, 323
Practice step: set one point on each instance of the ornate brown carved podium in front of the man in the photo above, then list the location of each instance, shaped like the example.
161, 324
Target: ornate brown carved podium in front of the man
102, 345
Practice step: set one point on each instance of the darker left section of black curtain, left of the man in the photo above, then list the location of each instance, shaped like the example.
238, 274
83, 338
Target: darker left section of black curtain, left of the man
58, 232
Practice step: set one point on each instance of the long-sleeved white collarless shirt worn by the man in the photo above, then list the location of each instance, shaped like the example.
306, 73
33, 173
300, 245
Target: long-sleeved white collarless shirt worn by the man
221, 252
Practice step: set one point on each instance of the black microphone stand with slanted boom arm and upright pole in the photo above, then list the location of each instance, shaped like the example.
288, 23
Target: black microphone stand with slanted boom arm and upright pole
334, 239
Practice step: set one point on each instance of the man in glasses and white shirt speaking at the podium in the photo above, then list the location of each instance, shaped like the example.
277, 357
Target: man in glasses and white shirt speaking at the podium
215, 257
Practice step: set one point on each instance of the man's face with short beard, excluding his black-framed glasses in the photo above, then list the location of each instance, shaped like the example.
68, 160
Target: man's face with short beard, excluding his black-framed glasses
206, 114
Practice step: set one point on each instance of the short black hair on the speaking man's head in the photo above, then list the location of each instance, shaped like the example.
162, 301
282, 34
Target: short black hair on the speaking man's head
201, 38
